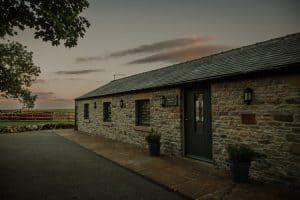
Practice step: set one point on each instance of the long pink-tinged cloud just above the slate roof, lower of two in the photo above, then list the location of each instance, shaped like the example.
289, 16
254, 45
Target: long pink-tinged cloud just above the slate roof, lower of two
181, 54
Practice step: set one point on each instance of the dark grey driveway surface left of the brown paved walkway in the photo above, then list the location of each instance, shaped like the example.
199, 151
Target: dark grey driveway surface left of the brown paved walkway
42, 165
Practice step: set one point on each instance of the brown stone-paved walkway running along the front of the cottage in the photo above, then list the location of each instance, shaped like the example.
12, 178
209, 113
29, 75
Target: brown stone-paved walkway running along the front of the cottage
193, 179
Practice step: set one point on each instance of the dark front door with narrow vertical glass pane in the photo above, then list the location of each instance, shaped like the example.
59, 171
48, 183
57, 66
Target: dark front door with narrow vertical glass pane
197, 118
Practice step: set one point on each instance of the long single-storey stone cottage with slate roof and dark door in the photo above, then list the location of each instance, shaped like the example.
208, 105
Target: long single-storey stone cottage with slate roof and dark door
248, 95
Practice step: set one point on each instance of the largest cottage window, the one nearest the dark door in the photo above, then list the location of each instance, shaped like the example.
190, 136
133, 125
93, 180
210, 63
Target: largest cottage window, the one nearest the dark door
142, 108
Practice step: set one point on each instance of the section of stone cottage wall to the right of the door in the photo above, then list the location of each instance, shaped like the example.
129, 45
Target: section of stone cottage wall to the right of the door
270, 125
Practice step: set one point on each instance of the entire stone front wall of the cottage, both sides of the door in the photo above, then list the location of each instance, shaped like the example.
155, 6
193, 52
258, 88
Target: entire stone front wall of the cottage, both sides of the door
270, 125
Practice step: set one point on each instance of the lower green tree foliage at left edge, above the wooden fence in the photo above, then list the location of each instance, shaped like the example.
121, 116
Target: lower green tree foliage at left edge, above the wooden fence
17, 71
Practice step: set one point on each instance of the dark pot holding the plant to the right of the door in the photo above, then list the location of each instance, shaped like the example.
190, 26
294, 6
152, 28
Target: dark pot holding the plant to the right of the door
240, 171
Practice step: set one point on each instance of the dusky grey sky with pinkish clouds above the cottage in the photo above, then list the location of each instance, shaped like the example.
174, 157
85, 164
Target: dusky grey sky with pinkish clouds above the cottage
129, 37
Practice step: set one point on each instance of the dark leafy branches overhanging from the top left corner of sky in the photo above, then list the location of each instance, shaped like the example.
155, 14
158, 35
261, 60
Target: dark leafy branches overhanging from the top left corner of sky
52, 20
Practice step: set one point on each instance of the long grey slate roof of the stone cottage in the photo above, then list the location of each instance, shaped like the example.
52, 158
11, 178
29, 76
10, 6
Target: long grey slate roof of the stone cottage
268, 55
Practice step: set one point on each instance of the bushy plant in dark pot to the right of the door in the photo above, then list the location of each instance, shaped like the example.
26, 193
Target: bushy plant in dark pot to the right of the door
240, 157
